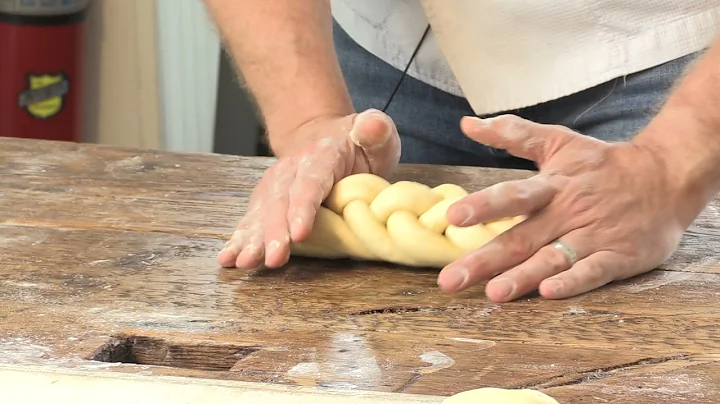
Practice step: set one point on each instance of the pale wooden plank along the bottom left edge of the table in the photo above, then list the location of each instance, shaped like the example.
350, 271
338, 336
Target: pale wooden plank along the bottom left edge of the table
40, 385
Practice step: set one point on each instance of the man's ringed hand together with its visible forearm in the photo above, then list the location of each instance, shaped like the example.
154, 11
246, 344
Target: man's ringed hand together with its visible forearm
617, 209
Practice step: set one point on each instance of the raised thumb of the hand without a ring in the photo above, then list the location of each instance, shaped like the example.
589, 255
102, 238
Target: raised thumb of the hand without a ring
374, 132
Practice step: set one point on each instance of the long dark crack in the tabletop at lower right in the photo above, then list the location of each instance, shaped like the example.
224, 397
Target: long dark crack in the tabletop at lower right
596, 374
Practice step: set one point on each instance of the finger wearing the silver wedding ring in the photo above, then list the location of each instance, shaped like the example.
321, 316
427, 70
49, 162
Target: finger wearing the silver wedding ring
547, 262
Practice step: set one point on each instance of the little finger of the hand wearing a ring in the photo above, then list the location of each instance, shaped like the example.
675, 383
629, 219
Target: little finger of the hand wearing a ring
588, 274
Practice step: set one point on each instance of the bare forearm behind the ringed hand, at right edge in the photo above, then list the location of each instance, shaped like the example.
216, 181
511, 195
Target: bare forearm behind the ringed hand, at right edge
686, 131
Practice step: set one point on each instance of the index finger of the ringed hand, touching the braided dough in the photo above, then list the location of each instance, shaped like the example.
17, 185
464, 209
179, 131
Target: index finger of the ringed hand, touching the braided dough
506, 199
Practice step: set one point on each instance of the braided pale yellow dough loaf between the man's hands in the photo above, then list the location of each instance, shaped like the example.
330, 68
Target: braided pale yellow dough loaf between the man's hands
367, 218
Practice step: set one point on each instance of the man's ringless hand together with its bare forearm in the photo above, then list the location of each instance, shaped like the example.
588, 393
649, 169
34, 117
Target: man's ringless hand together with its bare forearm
285, 52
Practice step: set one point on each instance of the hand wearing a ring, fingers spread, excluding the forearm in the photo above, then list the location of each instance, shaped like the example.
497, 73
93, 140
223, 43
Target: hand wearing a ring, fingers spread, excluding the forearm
616, 205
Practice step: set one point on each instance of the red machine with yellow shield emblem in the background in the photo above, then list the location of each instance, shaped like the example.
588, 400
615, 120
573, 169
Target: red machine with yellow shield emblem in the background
41, 75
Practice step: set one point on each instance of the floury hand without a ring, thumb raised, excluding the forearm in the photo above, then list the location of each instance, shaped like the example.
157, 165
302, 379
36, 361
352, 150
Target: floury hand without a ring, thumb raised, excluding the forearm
284, 203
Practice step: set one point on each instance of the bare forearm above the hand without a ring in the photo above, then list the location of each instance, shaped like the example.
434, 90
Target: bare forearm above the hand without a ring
285, 52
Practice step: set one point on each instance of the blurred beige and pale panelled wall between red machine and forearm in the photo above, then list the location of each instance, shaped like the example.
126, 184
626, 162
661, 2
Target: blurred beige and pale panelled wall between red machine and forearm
156, 77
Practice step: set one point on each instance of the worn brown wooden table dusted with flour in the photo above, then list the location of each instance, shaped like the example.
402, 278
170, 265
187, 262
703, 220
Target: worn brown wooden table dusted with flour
108, 255
